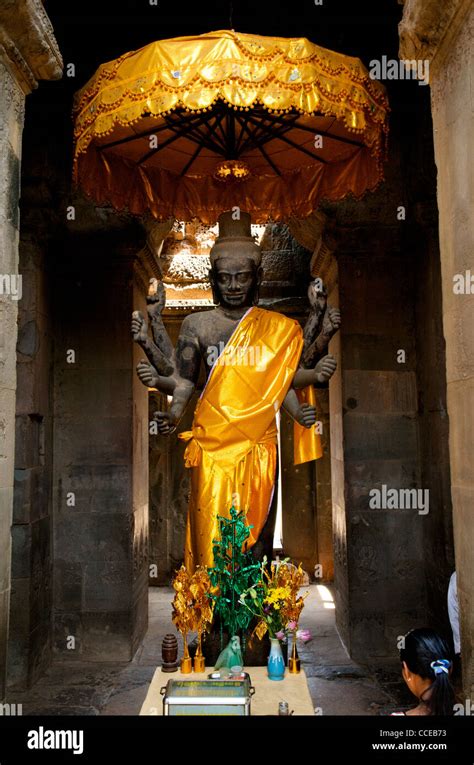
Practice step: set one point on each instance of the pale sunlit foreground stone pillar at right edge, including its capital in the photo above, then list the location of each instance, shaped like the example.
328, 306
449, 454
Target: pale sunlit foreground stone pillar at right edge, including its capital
443, 33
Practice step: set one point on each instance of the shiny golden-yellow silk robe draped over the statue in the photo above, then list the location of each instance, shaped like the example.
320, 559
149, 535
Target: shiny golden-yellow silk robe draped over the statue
232, 444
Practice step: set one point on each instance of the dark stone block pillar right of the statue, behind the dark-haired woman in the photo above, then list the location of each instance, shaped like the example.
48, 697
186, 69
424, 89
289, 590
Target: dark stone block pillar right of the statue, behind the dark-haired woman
374, 438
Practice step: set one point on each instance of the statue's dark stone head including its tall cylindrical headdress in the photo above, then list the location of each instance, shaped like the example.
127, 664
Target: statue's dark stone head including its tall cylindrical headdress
235, 273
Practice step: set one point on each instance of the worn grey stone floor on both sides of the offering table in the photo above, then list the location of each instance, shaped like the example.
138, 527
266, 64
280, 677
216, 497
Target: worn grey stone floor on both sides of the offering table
338, 686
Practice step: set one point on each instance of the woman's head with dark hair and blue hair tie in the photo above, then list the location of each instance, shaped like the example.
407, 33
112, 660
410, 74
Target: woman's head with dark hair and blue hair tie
427, 662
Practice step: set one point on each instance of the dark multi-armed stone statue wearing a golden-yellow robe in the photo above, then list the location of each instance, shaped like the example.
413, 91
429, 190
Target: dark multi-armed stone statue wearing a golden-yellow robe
256, 362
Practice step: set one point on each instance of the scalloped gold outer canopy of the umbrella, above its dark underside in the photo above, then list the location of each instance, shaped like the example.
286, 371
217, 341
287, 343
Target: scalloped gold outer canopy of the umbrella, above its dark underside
241, 69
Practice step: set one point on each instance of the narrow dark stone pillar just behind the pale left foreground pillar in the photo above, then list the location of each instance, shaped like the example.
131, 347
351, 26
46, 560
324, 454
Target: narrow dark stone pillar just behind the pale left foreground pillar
30, 644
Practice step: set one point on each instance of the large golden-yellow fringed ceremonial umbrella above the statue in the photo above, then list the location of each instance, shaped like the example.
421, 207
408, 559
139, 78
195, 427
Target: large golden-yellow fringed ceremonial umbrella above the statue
193, 126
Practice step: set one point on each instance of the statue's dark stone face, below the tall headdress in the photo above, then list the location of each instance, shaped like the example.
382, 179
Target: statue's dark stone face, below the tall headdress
235, 281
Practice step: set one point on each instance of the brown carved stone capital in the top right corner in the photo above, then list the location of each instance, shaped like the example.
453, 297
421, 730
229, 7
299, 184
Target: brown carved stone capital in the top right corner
428, 28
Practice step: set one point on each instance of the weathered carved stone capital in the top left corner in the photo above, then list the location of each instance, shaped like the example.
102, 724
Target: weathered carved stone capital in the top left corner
27, 43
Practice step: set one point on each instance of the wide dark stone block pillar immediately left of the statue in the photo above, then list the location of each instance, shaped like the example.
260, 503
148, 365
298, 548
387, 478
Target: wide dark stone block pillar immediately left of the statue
100, 478
